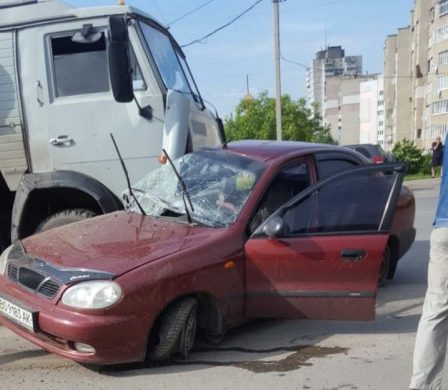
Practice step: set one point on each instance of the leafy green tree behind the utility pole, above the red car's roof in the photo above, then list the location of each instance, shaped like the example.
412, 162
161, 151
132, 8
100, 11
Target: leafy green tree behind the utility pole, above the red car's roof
255, 119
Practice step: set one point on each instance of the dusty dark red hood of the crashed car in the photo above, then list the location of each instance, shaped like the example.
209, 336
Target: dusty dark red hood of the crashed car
116, 242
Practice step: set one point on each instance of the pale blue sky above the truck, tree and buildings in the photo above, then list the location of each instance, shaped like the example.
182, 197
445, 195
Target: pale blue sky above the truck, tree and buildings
221, 63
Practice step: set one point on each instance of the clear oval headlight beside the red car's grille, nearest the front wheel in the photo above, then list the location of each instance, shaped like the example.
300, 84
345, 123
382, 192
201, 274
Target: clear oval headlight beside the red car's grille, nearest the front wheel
95, 294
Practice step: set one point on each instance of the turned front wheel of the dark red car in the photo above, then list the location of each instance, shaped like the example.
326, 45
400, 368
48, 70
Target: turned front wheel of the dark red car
176, 331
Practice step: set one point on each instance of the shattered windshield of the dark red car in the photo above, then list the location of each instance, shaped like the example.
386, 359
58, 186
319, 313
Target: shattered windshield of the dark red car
217, 182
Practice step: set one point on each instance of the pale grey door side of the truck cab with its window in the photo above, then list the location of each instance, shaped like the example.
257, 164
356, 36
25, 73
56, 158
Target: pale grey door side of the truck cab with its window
70, 109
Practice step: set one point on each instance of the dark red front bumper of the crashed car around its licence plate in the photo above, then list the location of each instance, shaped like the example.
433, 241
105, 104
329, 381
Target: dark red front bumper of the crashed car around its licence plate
115, 338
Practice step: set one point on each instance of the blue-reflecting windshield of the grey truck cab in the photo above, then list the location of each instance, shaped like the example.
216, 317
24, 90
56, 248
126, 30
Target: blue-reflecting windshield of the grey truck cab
167, 60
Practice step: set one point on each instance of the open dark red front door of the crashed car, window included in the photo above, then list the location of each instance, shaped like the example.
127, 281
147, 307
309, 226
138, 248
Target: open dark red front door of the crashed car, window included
319, 255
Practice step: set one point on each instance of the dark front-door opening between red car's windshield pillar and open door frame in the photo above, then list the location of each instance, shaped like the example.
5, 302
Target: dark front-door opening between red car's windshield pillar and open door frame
289, 182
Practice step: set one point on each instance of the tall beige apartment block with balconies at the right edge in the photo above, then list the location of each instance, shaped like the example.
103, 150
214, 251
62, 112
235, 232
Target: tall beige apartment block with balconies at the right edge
416, 76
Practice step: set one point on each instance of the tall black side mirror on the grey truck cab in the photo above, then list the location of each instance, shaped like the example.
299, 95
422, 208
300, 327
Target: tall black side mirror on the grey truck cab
120, 72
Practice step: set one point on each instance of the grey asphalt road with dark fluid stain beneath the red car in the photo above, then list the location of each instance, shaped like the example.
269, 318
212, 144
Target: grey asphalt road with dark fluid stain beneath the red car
268, 354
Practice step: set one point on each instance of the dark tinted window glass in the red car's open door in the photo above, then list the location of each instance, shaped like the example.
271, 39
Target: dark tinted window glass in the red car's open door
355, 202
